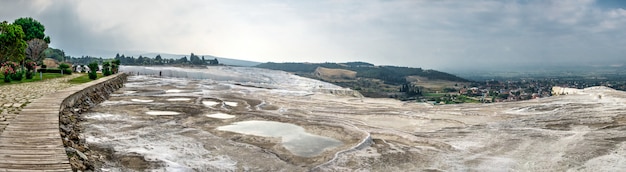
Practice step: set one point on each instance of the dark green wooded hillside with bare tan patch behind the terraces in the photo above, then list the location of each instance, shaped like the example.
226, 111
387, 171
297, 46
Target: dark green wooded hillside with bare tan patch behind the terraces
372, 80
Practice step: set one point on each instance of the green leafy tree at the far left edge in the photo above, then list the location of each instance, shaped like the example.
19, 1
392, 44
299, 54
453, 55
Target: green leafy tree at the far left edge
12, 42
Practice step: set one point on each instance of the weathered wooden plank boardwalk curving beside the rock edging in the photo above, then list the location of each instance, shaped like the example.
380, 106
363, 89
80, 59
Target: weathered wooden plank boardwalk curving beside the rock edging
32, 140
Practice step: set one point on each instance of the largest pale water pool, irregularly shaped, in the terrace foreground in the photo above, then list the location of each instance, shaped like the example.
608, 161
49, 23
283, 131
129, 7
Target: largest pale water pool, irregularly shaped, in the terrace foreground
294, 138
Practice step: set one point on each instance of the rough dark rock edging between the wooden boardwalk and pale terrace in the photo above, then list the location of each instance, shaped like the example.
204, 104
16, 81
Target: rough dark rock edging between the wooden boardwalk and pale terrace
87, 96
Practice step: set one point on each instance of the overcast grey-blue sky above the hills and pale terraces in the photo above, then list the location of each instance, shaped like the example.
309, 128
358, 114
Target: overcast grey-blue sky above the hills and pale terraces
433, 34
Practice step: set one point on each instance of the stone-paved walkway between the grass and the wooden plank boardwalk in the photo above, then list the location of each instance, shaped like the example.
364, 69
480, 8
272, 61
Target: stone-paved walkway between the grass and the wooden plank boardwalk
14, 97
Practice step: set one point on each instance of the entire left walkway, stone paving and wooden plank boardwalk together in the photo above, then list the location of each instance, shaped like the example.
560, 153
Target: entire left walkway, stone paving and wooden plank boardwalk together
29, 126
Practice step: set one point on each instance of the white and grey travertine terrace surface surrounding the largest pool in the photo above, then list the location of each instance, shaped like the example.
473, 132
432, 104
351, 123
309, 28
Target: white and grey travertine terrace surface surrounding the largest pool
584, 131
